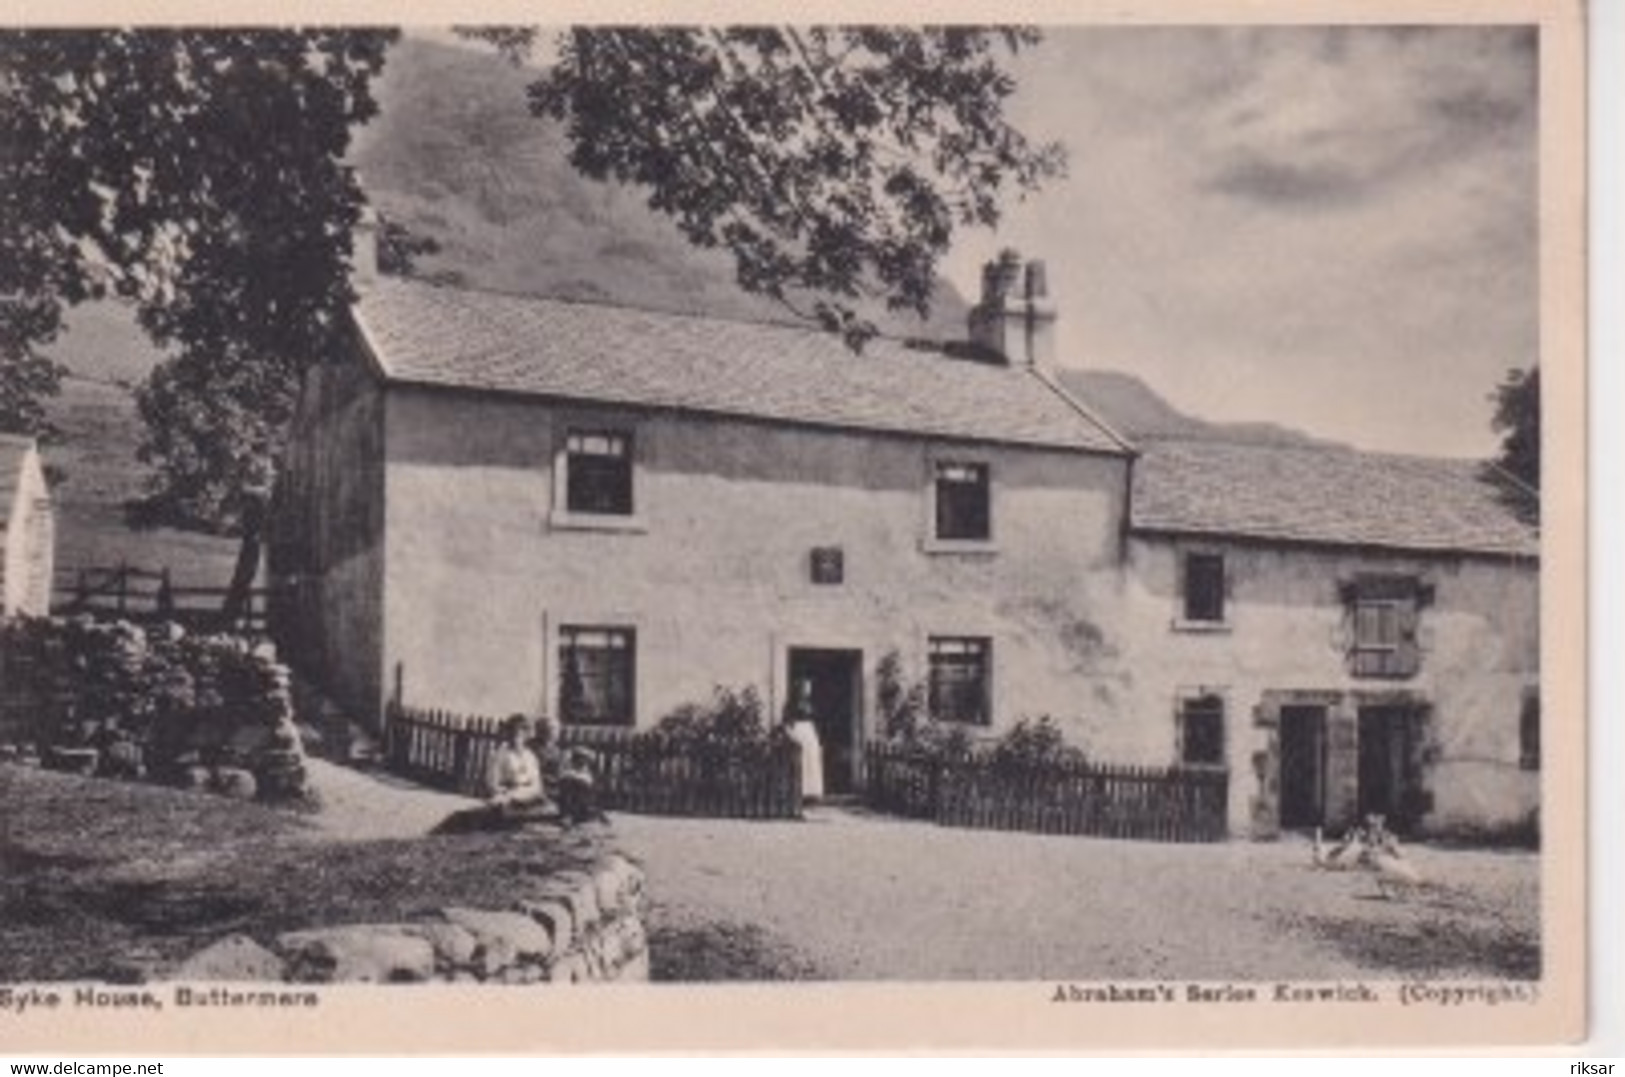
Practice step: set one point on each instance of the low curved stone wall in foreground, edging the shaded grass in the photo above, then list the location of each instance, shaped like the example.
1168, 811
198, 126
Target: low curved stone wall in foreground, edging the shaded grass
583, 927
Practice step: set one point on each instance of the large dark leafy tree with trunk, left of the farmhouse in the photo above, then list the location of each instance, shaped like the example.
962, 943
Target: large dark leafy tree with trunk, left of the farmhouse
197, 175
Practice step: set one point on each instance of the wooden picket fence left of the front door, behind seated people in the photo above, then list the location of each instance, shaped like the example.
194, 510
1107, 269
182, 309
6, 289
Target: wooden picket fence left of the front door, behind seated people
636, 772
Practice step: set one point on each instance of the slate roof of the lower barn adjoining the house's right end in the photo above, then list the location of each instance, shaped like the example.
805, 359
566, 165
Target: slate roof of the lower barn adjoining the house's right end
1325, 496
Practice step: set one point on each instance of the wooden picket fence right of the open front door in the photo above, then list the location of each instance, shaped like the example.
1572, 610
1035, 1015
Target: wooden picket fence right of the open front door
1075, 798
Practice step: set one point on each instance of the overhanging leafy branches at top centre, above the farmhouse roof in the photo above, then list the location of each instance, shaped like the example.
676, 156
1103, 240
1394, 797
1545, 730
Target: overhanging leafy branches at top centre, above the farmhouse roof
833, 163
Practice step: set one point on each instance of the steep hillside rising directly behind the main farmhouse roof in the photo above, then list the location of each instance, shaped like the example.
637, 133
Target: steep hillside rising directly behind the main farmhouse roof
456, 155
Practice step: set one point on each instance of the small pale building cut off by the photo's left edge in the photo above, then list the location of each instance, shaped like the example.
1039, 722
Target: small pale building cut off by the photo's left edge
28, 530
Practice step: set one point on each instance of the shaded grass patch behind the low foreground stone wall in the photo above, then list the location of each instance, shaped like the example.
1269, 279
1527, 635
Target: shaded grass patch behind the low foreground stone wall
93, 870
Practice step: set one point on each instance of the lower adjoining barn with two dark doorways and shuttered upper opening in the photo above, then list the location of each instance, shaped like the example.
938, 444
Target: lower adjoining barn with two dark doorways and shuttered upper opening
1348, 633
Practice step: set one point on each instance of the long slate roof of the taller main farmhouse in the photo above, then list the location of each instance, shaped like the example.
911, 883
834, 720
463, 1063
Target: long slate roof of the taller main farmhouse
464, 339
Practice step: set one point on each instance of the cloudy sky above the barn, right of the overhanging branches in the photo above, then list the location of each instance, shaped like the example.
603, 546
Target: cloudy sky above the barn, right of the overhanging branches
1333, 228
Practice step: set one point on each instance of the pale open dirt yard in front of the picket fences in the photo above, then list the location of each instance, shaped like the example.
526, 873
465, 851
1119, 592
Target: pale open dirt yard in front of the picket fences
856, 897
